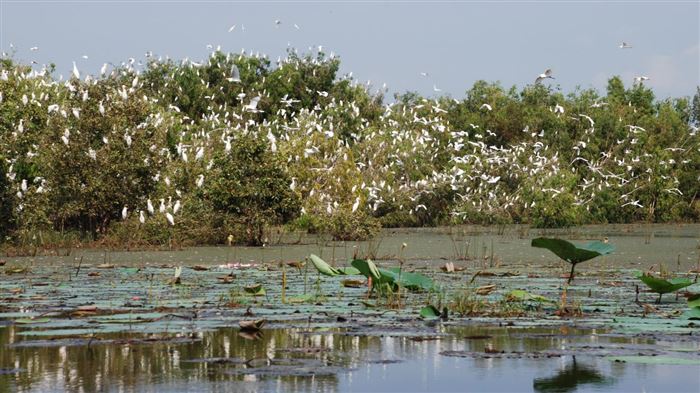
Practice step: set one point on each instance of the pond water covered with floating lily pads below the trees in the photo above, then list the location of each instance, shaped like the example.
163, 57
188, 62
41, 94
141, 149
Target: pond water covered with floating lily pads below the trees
167, 338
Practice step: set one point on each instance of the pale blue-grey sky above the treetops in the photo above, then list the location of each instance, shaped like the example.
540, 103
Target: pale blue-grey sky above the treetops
455, 42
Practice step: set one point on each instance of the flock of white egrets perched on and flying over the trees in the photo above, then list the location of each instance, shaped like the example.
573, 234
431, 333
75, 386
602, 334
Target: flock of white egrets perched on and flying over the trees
381, 163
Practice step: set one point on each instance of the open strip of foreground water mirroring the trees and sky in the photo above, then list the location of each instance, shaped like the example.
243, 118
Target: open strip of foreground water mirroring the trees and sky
323, 360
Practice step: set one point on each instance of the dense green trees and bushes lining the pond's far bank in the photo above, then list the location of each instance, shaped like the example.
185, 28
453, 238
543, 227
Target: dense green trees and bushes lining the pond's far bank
295, 139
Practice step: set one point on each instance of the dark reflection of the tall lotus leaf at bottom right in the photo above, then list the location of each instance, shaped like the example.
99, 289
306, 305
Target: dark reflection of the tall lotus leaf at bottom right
570, 377
